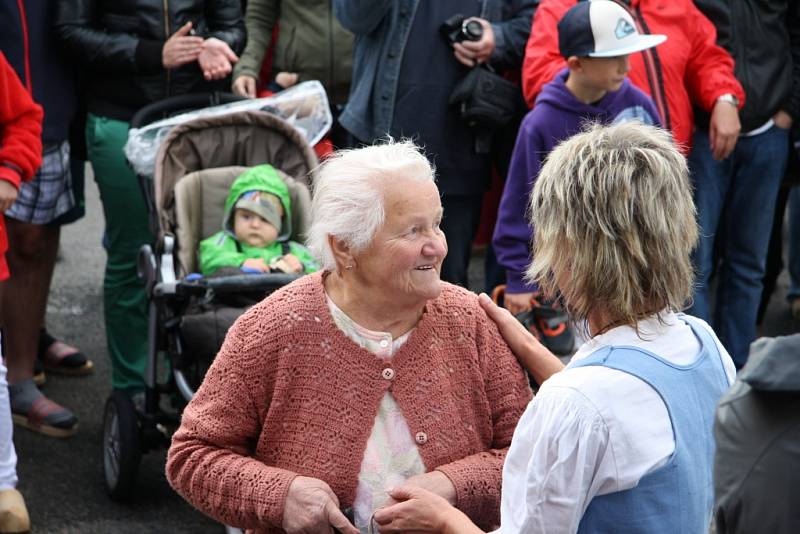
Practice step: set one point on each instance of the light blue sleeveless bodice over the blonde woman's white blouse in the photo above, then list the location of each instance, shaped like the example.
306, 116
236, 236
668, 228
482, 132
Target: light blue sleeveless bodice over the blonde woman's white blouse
677, 497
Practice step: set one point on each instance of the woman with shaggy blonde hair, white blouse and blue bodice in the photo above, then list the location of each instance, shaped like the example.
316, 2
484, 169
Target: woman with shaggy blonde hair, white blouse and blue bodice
620, 440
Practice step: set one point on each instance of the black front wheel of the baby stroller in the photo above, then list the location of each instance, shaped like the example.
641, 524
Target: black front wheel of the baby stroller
121, 446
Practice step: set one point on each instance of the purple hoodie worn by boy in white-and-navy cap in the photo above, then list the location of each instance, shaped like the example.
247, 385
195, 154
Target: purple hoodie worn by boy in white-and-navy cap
556, 116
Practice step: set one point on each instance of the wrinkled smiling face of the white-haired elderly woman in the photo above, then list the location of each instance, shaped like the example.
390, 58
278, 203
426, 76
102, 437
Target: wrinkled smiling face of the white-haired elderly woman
404, 259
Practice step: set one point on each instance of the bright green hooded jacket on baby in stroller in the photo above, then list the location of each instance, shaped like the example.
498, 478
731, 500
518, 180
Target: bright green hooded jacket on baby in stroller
224, 250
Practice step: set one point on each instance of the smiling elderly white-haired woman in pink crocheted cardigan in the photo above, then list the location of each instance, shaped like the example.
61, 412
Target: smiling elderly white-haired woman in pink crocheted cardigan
368, 375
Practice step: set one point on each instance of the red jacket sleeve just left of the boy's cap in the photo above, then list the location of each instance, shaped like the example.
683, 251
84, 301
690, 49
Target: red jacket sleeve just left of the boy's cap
542, 58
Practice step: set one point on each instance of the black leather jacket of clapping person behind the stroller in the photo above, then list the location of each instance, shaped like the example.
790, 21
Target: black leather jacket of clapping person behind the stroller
119, 43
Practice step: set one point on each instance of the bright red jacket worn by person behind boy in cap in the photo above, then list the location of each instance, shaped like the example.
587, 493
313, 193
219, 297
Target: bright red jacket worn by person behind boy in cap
689, 68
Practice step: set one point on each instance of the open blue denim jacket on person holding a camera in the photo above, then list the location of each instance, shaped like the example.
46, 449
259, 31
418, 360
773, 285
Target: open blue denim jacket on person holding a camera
381, 30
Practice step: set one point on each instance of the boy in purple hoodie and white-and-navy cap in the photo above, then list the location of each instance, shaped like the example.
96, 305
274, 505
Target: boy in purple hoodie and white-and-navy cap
595, 38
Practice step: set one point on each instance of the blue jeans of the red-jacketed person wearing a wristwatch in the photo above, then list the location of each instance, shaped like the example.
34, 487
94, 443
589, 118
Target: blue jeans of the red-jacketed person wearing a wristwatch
735, 201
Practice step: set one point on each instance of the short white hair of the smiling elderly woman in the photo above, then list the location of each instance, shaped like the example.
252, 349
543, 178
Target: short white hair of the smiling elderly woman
347, 201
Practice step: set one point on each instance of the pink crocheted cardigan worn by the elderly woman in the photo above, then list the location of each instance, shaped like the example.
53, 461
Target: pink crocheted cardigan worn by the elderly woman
289, 394
